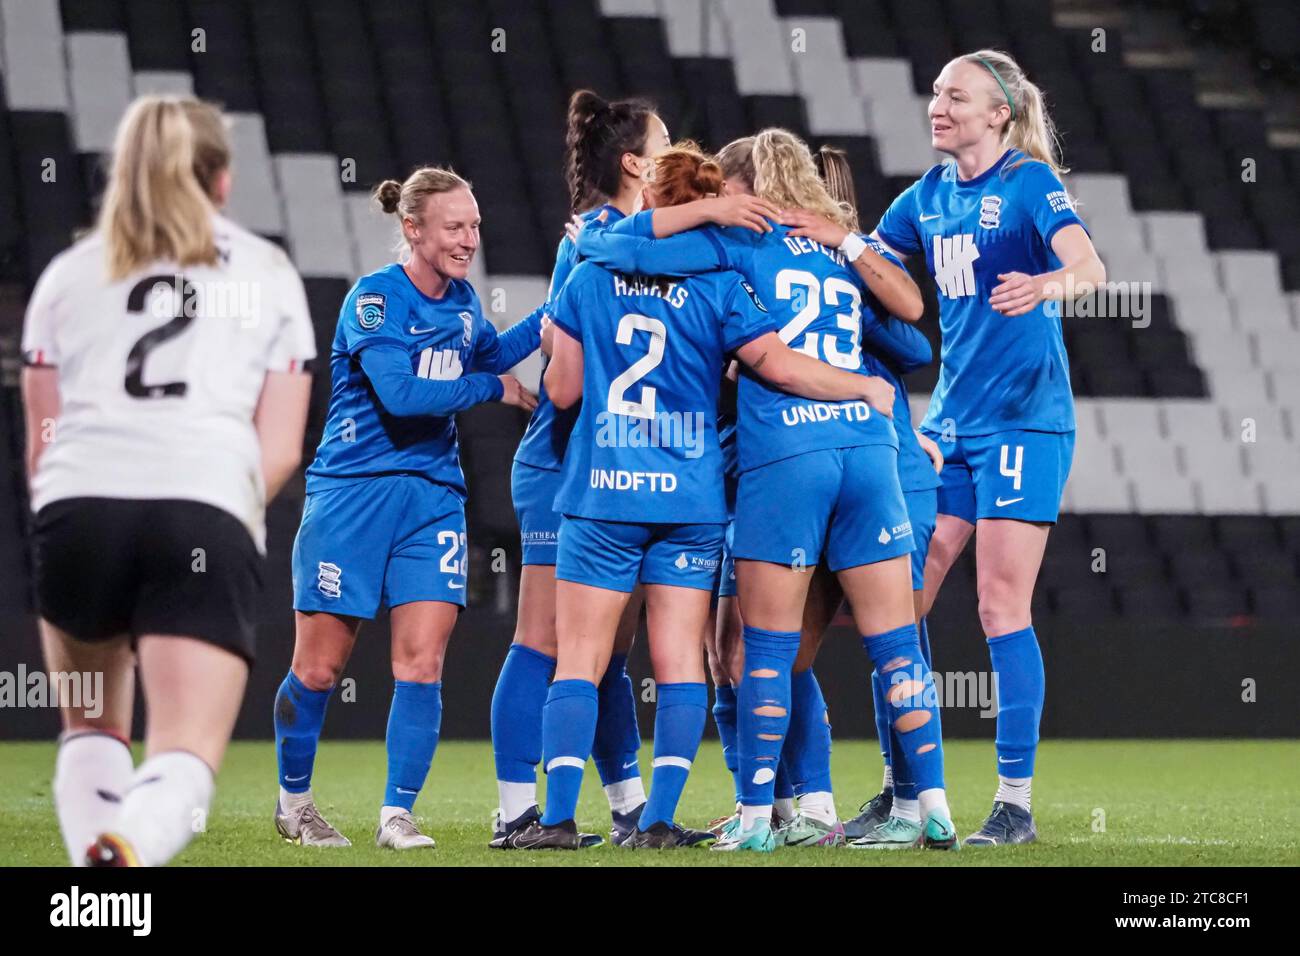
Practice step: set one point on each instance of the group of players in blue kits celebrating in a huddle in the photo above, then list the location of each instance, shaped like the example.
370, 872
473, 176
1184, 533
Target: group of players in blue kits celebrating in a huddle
723, 438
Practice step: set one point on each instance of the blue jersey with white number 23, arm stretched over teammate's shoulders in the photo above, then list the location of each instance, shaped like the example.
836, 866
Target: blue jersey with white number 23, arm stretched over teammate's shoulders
817, 300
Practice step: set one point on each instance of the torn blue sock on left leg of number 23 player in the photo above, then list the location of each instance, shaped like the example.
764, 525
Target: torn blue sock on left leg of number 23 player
765, 687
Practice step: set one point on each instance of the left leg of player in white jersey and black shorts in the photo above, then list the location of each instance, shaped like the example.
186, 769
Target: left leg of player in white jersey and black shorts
94, 765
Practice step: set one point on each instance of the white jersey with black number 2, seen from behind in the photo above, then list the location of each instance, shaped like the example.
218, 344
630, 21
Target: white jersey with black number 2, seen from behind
161, 373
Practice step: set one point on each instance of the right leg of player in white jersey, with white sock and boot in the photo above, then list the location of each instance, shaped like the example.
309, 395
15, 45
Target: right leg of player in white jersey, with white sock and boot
193, 691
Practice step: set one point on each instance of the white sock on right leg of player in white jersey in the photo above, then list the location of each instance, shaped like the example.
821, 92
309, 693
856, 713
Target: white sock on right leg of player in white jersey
166, 807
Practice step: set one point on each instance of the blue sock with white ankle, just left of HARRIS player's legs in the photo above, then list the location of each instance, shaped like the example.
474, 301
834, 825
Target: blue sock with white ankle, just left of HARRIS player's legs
517, 726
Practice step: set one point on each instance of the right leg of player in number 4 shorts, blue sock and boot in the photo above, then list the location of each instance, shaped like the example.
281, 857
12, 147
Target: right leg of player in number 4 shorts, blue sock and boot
1008, 556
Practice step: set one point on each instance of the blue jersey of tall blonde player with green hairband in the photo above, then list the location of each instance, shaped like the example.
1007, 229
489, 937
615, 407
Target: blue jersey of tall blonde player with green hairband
996, 373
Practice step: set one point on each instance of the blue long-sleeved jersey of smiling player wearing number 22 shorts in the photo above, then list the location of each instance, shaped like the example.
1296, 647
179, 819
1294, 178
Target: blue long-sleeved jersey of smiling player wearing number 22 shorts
447, 339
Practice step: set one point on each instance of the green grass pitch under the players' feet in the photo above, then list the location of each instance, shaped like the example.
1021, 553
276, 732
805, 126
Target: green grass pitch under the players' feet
1126, 803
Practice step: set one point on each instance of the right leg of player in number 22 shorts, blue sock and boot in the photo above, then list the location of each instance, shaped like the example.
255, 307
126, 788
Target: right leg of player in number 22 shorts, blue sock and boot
422, 631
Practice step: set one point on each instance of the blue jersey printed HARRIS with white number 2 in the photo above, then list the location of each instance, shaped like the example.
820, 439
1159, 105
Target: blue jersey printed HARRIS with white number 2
645, 445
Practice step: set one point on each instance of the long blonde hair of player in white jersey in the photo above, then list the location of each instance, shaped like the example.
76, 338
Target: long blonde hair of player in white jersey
167, 158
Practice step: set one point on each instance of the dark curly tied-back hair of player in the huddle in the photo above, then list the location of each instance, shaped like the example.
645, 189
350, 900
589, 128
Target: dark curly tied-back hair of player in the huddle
597, 137
